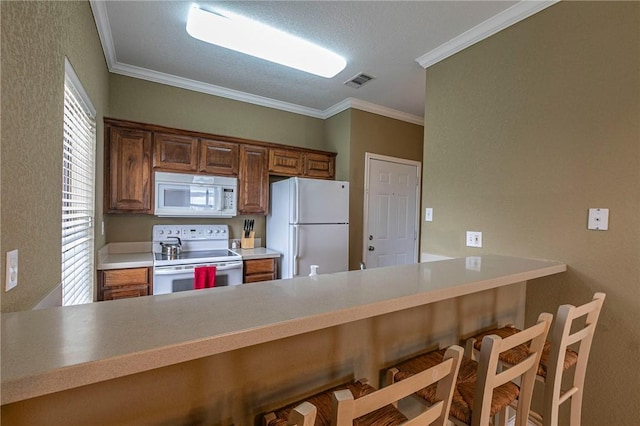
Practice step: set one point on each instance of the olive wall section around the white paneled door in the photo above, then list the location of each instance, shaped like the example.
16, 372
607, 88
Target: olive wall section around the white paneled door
377, 135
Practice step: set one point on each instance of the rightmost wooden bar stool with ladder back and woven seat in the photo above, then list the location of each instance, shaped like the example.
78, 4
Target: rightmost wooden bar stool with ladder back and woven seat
557, 358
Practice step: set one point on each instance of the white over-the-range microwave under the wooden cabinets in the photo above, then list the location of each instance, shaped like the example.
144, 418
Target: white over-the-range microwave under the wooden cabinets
187, 195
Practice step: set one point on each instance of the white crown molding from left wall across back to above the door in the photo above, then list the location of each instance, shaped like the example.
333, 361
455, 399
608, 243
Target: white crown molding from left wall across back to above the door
104, 31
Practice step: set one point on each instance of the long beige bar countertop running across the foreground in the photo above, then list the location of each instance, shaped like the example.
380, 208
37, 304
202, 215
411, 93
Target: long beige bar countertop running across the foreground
50, 350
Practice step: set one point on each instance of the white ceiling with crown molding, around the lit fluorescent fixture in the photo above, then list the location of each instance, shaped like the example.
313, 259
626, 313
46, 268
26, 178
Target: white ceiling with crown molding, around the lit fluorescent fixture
393, 40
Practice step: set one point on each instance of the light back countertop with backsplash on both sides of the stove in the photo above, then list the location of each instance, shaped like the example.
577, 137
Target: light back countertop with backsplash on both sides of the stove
138, 255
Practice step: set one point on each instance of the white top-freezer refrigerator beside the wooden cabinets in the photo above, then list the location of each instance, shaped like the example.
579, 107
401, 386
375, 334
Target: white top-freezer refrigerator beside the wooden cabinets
308, 223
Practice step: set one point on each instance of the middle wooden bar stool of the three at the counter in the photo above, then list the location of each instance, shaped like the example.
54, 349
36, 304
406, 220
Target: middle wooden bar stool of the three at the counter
482, 391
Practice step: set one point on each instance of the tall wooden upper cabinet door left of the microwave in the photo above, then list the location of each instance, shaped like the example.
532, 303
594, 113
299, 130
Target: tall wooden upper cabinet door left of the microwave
128, 171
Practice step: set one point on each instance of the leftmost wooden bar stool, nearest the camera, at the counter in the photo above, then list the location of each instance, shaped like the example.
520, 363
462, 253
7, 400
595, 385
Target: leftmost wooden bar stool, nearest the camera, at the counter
362, 405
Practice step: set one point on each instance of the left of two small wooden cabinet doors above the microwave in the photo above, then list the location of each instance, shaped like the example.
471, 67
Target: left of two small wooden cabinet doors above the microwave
175, 152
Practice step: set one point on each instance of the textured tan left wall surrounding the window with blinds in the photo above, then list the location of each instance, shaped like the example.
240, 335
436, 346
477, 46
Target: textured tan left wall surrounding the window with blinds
36, 36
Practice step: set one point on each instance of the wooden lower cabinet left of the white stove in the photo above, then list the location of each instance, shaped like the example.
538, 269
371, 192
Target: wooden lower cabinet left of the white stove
124, 283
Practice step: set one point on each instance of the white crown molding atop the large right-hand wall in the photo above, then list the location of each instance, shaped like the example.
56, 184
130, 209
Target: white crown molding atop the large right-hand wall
504, 19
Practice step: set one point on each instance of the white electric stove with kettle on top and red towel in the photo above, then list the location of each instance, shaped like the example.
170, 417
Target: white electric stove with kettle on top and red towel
200, 246
